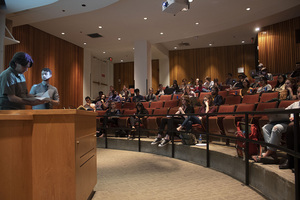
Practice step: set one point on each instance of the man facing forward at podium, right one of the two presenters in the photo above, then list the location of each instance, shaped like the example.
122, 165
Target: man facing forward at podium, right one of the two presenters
44, 89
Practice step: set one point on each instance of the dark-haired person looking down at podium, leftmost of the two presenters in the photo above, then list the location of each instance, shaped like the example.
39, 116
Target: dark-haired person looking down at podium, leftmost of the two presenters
13, 90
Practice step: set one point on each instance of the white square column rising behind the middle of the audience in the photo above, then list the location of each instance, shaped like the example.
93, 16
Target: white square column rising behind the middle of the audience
142, 66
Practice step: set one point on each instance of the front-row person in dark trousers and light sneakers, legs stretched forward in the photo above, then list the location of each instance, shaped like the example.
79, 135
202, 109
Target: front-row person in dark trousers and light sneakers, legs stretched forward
186, 108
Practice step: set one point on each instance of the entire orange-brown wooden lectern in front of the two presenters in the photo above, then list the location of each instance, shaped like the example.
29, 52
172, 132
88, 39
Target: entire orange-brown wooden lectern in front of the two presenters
47, 154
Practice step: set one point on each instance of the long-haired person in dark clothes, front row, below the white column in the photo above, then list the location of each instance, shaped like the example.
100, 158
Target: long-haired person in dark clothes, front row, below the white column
136, 118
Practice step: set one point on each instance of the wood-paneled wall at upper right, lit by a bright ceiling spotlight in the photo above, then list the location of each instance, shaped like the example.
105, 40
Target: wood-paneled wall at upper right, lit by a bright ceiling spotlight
277, 46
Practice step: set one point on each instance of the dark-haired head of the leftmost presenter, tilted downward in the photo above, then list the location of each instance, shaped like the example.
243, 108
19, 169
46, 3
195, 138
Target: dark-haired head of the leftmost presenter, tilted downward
21, 61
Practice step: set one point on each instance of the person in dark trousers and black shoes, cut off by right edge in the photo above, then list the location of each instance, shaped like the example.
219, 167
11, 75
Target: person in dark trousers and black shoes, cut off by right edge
289, 162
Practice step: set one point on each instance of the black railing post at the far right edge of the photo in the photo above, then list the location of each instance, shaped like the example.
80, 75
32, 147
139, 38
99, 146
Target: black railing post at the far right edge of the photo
296, 160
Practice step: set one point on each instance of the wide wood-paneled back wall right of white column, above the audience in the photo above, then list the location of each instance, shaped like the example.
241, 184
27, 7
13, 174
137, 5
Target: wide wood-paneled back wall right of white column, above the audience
215, 62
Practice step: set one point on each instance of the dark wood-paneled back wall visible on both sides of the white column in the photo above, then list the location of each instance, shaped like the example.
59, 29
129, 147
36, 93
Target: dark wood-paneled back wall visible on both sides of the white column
124, 75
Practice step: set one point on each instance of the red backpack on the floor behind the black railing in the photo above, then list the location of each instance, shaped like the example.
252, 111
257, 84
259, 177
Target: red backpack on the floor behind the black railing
253, 135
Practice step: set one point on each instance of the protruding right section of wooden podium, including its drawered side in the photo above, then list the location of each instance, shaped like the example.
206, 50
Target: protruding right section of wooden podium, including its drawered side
63, 145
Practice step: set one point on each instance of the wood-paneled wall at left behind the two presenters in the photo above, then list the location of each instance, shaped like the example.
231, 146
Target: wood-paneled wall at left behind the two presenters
63, 58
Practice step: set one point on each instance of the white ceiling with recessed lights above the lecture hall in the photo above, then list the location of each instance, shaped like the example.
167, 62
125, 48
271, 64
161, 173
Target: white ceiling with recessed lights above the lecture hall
221, 23
